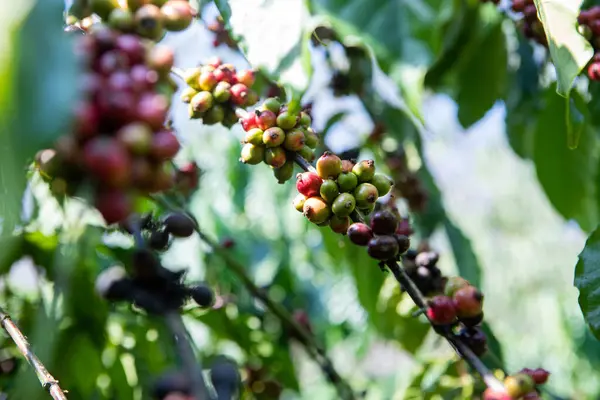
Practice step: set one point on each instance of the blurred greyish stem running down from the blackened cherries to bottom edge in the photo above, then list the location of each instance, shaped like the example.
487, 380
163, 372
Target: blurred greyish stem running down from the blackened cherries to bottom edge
191, 365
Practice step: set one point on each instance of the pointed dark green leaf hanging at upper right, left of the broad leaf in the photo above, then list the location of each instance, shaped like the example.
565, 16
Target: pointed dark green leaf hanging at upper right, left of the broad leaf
482, 76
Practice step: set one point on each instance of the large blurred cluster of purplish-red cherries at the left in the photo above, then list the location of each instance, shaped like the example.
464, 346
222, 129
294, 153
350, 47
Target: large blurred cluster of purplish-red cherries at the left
119, 146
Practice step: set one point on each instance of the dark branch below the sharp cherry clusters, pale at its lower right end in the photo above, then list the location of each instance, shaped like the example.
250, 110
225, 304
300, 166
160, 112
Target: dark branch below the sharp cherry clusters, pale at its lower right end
461, 348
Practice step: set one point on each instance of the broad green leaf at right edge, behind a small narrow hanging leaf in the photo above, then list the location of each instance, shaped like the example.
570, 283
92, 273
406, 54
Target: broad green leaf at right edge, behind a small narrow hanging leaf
567, 176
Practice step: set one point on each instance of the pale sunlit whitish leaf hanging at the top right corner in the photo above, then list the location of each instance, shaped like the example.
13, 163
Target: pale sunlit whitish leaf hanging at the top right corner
569, 50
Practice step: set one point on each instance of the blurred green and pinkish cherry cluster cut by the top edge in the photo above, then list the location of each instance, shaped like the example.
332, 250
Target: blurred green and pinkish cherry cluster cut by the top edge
150, 19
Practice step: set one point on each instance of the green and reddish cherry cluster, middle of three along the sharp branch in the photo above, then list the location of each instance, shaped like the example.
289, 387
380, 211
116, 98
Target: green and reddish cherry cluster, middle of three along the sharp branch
274, 136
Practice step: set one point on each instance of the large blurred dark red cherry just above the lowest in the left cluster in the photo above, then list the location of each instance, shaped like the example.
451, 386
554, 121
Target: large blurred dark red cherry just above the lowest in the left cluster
108, 160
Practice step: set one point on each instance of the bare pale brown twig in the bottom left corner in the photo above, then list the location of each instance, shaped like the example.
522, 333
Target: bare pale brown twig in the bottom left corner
48, 382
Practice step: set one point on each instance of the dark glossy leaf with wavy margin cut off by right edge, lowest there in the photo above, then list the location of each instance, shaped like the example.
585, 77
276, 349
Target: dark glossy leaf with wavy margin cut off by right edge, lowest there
587, 280
